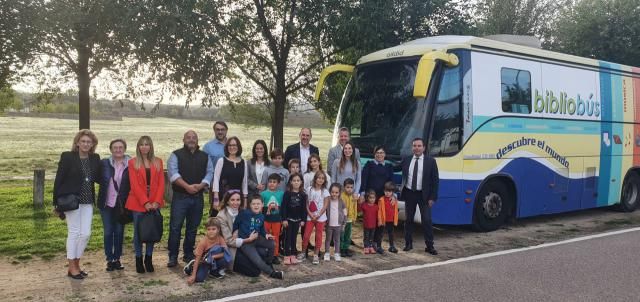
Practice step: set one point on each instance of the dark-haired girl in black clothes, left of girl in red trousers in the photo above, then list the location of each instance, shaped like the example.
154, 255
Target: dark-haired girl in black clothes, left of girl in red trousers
294, 214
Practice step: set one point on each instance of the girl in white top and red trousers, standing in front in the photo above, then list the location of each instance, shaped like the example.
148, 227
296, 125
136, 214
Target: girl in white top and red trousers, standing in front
316, 216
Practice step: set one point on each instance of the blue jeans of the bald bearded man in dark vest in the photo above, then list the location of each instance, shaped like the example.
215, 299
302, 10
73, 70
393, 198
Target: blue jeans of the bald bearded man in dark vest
189, 208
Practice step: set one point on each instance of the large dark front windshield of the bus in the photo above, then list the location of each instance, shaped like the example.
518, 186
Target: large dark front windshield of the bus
379, 107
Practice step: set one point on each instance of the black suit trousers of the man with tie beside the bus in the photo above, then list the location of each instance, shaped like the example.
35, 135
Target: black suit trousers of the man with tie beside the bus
413, 199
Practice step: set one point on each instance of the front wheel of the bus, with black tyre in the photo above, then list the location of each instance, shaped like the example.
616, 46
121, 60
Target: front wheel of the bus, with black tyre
491, 207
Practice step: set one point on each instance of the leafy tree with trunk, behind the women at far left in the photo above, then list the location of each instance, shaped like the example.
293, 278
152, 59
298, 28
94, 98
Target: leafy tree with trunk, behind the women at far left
83, 38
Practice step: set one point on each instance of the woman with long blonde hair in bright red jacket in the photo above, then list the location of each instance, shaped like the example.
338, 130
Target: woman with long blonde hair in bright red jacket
146, 176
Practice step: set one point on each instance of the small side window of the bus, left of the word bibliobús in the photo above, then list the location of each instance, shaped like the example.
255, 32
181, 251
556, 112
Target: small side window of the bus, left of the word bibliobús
516, 90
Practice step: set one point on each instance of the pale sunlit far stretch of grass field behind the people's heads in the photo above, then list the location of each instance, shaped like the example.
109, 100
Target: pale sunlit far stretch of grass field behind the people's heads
27, 143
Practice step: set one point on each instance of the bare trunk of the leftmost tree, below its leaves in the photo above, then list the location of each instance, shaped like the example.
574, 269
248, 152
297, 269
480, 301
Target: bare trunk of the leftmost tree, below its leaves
84, 85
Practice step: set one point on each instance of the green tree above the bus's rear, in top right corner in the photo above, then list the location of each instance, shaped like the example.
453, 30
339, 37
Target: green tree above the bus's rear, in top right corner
603, 29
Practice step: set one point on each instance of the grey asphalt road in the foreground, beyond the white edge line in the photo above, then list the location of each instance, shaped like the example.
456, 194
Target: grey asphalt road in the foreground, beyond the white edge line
599, 269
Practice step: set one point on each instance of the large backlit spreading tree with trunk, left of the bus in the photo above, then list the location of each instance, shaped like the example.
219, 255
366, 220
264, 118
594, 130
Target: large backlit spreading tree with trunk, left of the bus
213, 46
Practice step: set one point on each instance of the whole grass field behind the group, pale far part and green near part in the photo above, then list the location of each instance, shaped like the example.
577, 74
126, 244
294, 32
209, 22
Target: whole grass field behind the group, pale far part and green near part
27, 143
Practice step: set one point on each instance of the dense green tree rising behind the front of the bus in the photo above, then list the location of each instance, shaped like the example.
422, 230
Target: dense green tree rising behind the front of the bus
368, 26
